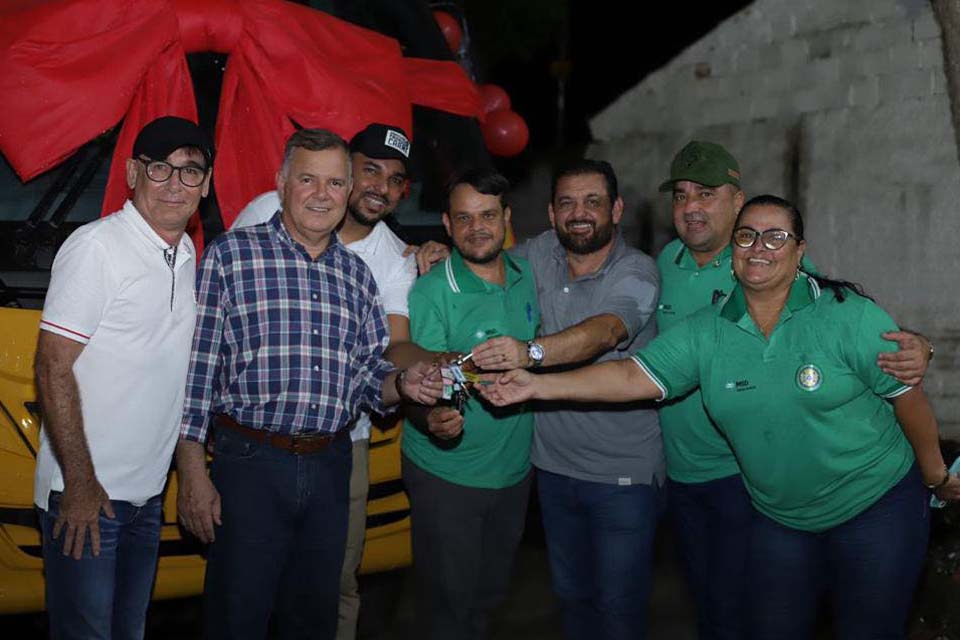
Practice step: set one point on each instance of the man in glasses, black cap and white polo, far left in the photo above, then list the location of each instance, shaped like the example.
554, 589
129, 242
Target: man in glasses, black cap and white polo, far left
111, 370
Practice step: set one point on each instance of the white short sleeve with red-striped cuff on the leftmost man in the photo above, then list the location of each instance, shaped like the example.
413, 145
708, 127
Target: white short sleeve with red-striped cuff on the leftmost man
81, 287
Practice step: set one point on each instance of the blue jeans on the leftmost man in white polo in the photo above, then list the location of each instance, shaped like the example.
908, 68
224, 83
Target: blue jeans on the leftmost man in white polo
103, 596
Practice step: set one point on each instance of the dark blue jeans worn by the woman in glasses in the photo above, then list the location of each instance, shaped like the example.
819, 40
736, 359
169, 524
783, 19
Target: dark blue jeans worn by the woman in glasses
868, 567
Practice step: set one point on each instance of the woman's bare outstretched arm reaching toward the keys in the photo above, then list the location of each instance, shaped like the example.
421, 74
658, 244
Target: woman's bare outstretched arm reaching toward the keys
613, 381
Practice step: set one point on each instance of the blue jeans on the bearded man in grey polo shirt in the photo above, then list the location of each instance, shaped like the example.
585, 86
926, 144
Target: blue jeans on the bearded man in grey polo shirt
600, 545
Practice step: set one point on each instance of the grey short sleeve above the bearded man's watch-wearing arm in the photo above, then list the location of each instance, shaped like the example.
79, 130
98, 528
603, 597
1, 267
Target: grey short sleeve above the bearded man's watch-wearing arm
630, 293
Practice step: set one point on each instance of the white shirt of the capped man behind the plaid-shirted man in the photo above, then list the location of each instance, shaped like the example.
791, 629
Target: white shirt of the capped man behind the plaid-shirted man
381, 250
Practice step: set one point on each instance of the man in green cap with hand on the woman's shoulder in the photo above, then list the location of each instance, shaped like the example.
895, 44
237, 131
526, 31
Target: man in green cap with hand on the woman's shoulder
709, 507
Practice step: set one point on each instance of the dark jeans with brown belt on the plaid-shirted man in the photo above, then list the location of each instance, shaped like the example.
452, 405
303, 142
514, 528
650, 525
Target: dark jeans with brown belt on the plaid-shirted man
281, 545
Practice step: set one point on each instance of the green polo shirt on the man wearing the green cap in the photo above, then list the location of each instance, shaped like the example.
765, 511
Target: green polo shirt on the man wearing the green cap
696, 451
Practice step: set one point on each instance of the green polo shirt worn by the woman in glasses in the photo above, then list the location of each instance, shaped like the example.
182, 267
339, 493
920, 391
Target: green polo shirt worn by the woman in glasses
806, 411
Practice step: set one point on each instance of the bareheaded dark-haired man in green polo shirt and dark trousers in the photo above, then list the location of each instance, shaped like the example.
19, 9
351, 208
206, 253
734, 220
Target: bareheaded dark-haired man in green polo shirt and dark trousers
468, 475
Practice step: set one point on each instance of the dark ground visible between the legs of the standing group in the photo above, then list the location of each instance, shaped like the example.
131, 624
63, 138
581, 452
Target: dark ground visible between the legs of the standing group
531, 611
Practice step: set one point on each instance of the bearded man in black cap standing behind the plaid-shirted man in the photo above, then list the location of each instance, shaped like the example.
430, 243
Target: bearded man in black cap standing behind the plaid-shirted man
379, 156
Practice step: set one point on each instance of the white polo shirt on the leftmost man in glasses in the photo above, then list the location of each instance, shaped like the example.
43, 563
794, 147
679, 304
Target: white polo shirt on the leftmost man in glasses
112, 290
